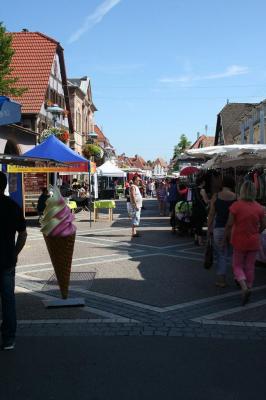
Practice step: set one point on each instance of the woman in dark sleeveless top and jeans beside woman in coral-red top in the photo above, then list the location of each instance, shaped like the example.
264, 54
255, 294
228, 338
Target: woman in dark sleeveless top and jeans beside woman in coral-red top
217, 220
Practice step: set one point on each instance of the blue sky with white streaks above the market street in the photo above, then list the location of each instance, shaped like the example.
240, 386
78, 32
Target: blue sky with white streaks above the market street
159, 68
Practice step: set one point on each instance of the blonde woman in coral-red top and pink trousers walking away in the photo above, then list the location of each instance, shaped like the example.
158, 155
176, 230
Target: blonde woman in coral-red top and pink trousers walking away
246, 221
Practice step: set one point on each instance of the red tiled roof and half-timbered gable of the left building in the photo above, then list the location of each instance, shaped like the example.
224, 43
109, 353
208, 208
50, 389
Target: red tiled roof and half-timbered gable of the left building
39, 64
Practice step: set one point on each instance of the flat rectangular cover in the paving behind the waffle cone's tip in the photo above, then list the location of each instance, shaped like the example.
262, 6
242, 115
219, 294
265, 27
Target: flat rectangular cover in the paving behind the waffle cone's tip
78, 280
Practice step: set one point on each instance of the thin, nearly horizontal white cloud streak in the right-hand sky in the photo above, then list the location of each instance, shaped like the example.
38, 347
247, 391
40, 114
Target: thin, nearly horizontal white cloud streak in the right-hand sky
233, 70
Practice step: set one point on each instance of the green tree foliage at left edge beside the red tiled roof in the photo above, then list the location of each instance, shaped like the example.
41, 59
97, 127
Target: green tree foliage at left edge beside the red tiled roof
8, 85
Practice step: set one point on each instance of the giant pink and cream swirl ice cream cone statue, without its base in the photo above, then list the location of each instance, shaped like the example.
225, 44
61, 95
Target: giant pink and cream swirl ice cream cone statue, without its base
59, 234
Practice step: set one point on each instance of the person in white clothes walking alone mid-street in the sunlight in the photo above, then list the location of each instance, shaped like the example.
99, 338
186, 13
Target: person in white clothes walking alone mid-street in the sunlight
136, 204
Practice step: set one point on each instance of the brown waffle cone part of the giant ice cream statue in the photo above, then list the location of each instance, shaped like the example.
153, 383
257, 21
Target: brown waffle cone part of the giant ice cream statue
61, 252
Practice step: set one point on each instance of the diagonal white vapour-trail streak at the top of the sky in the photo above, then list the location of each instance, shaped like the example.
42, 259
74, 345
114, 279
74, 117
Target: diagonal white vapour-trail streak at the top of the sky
94, 18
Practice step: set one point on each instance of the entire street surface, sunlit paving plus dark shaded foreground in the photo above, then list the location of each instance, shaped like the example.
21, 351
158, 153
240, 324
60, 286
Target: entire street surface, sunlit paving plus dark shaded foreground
199, 342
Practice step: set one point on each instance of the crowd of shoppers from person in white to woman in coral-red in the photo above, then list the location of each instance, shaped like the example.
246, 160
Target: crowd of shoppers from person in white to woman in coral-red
234, 224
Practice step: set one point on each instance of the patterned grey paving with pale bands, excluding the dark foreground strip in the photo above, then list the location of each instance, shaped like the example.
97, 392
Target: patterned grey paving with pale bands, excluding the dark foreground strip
151, 285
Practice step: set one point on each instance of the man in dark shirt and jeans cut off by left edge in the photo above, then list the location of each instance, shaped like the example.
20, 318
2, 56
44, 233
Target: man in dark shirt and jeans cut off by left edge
12, 221
